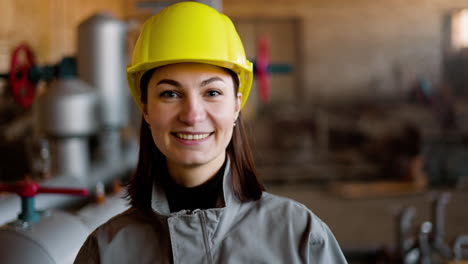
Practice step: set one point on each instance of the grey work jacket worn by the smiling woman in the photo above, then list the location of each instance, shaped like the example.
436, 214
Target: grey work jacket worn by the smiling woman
271, 230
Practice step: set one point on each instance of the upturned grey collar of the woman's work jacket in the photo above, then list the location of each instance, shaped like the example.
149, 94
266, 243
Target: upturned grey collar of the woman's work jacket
160, 204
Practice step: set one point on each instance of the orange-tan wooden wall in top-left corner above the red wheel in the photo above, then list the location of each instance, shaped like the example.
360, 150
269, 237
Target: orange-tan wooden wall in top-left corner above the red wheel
48, 26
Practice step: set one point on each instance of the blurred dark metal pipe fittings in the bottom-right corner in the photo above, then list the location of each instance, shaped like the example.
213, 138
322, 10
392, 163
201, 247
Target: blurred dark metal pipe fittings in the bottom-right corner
425, 243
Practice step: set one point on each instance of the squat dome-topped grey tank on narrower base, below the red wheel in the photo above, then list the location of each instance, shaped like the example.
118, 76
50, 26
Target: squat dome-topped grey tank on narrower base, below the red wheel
67, 115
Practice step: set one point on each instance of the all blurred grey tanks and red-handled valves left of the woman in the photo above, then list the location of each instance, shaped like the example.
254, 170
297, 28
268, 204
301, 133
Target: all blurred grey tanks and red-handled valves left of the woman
76, 142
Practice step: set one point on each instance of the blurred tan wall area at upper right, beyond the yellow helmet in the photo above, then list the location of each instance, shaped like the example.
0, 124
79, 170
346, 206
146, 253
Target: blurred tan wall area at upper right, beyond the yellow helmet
360, 48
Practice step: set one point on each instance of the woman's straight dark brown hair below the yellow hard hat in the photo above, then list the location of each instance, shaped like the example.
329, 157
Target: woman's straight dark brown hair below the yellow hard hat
245, 182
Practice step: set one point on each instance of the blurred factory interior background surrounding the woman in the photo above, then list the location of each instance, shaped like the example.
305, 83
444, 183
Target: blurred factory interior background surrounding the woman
359, 110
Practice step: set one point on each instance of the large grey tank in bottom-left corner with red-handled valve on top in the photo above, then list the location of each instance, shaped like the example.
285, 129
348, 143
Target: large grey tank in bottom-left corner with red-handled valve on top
38, 237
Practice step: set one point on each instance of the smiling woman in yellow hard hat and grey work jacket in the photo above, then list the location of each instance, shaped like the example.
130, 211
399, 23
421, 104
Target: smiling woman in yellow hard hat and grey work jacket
195, 195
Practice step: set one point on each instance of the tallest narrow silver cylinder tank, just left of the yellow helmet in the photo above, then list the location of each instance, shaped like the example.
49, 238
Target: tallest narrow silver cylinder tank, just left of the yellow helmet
102, 60
